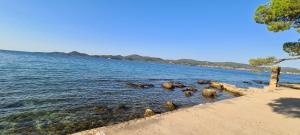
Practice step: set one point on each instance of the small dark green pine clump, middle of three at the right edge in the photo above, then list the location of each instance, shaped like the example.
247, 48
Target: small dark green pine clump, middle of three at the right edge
292, 48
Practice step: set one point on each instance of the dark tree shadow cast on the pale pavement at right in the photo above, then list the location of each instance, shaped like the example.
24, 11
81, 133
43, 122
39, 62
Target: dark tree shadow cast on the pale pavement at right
287, 106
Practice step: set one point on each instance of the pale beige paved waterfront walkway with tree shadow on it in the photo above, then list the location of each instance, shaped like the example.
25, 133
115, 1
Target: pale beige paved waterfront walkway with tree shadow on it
260, 112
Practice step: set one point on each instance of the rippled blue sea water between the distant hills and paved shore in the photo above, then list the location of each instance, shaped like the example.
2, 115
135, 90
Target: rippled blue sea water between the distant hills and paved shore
60, 94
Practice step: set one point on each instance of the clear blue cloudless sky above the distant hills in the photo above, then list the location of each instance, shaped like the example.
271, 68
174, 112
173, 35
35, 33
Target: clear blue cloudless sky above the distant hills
212, 30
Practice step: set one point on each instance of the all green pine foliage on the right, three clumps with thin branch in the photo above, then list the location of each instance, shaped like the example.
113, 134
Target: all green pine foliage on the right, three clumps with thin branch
279, 15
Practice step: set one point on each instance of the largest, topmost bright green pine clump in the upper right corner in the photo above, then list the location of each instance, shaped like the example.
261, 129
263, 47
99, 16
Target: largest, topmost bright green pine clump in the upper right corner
279, 15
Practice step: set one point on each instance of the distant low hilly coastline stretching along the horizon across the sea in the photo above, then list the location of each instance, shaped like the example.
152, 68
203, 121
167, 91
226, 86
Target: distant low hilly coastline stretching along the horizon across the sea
189, 62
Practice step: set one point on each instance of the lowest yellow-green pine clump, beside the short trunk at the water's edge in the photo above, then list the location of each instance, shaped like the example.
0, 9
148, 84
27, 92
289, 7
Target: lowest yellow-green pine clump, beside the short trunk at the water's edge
257, 62
